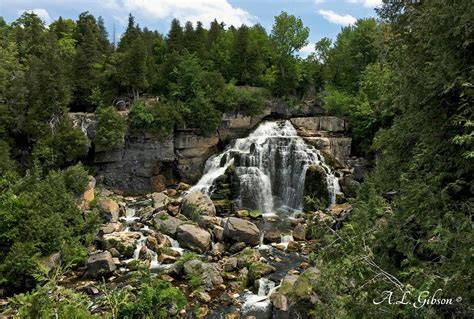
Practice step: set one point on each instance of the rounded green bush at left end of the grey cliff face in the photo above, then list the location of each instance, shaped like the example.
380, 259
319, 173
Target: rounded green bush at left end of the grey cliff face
111, 129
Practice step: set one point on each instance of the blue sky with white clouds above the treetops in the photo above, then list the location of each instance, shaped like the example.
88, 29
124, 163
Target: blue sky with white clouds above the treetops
324, 17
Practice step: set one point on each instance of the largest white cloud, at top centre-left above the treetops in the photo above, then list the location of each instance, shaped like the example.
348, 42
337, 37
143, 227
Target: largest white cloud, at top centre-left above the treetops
185, 10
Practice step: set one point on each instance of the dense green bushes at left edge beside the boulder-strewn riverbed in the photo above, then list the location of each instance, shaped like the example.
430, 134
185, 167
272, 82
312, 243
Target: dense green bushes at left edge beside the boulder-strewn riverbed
41, 217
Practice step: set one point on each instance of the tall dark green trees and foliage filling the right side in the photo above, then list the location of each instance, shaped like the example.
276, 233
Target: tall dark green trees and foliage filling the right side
422, 239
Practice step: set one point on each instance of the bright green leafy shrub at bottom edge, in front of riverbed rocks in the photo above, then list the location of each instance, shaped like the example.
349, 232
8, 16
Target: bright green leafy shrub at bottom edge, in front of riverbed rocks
156, 299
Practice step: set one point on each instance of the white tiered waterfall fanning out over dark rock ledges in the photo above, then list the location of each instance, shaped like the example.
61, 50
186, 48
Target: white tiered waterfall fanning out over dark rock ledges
271, 166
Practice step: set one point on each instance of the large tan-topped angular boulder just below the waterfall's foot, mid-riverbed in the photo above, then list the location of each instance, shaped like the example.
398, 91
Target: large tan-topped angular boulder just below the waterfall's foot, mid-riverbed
242, 230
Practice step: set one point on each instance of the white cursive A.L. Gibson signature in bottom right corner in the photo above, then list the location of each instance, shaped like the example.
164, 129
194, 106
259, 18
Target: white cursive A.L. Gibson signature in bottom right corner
424, 299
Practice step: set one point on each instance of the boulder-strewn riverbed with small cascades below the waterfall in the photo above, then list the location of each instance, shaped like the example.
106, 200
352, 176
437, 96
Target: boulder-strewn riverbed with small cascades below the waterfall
237, 265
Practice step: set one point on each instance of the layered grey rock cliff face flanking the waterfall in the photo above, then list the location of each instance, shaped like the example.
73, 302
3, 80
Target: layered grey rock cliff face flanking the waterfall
150, 162
